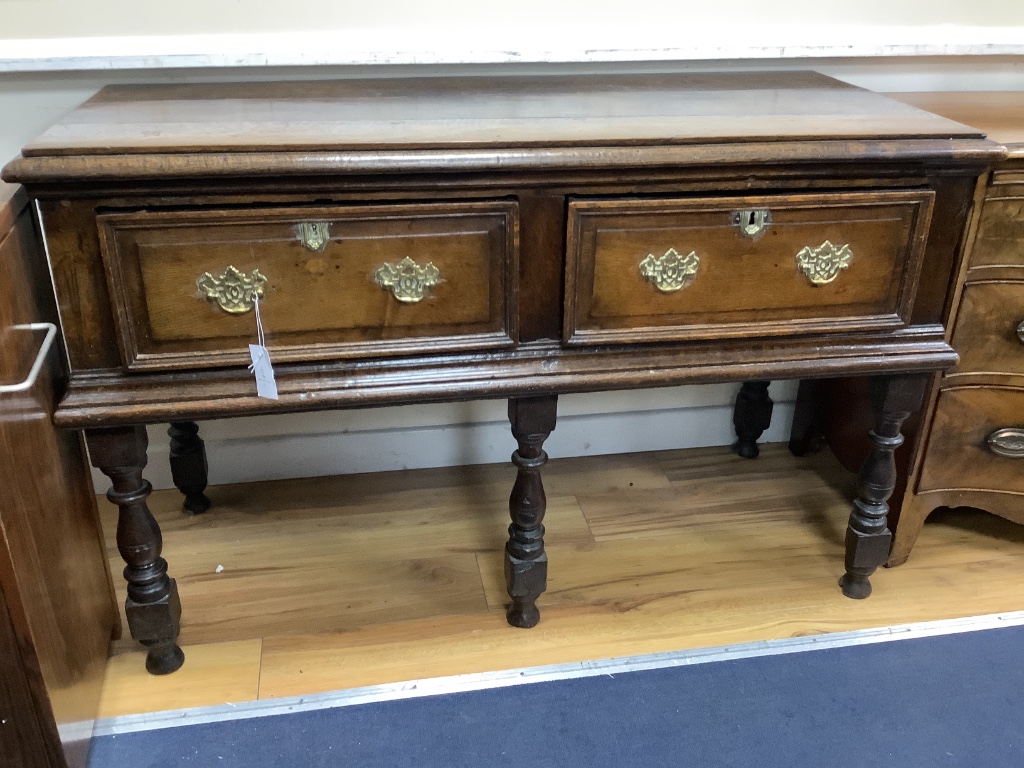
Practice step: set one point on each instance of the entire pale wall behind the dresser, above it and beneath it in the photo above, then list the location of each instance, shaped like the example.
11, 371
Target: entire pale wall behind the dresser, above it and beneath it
47, 48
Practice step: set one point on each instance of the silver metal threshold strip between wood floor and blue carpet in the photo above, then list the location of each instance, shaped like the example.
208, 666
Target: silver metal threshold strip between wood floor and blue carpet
481, 681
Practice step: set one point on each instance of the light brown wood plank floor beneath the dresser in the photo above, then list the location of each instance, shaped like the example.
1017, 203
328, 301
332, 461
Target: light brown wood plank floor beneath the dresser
346, 582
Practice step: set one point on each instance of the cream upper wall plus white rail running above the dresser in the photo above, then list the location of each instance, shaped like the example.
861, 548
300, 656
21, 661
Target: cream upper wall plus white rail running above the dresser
119, 34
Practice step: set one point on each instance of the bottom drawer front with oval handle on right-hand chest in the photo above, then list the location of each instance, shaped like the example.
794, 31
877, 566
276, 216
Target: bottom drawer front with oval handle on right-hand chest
977, 442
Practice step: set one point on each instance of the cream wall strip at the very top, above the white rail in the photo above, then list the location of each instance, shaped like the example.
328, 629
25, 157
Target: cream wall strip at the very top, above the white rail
68, 19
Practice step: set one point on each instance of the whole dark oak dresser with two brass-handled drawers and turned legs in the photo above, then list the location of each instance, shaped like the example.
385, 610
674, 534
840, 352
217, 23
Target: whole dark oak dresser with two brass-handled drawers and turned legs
432, 240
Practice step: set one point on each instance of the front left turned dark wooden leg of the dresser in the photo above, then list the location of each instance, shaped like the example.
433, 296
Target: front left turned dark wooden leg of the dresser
152, 608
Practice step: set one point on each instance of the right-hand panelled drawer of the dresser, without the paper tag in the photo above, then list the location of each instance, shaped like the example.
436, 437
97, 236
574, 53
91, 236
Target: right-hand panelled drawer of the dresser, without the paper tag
668, 270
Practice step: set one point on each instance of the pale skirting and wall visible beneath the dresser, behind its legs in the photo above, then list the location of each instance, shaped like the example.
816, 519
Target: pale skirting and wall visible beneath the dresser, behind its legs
385, 440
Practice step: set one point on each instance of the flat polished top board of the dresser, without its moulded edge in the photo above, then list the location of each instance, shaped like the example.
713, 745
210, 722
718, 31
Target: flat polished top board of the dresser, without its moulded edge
473, 112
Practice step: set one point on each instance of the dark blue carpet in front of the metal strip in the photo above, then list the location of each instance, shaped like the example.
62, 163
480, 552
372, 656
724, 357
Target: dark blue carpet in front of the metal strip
950, 701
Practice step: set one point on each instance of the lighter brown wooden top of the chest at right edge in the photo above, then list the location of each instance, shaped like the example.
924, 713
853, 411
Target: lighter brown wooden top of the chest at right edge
999, 114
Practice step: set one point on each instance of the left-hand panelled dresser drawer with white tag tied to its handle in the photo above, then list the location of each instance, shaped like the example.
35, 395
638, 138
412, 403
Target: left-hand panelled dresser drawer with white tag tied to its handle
334, 282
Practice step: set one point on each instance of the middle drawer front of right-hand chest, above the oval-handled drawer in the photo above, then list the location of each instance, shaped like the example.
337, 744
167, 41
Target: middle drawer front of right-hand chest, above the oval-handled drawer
990, 335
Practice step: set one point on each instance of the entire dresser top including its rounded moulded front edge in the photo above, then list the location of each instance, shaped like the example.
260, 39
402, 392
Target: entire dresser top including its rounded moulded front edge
484, 124
